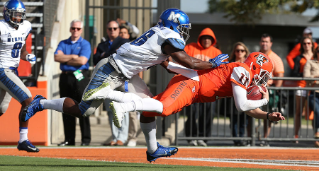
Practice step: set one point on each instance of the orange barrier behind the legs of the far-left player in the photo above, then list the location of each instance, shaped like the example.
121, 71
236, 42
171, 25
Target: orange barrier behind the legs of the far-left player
38, 125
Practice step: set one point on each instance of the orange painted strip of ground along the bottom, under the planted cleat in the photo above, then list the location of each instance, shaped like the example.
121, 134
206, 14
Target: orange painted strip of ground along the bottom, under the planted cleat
187, 156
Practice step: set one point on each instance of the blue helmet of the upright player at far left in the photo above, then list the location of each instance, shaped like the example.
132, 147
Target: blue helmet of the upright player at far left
14, 9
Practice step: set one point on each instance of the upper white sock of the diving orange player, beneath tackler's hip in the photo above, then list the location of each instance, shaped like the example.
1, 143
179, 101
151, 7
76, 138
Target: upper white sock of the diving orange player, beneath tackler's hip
122, 97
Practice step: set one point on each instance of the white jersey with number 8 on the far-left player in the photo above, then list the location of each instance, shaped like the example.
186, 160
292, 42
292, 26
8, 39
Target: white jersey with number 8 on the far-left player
11, 43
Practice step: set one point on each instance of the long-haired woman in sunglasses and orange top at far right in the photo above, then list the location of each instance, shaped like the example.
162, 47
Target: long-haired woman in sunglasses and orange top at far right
306, 51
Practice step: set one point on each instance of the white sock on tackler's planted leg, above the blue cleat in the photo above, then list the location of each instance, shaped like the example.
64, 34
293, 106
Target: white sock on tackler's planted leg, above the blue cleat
149, 130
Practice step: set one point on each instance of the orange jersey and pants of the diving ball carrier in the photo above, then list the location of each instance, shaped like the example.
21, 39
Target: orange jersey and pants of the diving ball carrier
213, 84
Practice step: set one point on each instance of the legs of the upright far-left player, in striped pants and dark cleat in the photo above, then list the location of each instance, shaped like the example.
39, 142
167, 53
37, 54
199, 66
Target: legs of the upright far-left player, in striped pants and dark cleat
12, 86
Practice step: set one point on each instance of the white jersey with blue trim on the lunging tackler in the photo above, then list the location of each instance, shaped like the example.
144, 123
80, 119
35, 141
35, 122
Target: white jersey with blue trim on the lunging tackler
146, 50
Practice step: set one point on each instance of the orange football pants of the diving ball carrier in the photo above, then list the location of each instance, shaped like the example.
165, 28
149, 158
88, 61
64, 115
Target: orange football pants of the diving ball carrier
180, 92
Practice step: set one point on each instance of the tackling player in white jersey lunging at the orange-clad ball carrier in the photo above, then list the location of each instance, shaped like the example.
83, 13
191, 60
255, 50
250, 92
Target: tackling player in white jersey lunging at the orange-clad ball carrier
119, 71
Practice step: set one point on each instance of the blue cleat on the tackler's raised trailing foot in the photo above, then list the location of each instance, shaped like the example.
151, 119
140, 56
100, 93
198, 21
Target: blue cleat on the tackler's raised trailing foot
32, 108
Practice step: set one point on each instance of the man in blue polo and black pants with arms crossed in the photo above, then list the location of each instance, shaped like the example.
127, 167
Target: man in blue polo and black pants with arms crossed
73, 55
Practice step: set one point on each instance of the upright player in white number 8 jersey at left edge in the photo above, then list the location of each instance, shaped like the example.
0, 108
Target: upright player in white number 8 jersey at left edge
14, 30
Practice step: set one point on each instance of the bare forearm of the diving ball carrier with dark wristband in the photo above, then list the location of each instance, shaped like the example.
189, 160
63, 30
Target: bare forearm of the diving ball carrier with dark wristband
259, 114
